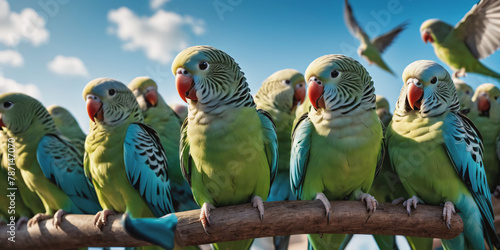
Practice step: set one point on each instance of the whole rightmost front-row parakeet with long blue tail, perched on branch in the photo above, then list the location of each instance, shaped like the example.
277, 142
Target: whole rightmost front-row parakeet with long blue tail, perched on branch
437, 153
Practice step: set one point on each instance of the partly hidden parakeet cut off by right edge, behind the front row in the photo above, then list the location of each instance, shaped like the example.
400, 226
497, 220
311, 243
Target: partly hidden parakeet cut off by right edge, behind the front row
485, 113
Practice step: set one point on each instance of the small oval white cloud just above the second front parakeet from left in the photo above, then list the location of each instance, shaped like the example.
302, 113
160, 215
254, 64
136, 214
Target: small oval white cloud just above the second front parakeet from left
71, 66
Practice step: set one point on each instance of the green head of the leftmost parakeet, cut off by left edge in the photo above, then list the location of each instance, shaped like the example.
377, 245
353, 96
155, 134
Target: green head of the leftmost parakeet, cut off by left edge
19, 112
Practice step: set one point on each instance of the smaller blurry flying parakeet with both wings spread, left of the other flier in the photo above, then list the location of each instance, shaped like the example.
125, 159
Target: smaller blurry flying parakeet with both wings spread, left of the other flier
371, 50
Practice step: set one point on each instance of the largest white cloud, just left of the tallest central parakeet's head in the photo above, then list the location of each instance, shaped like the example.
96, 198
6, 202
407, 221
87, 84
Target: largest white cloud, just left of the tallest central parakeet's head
161, 36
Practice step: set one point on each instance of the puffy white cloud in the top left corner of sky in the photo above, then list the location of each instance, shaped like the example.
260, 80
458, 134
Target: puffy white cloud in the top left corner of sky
26, 25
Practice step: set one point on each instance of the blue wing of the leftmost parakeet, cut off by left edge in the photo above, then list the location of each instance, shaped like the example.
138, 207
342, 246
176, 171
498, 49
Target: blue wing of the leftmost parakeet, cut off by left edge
62, 164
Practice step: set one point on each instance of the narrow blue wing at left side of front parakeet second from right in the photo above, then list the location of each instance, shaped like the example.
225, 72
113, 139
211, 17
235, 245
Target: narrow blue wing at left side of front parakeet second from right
301, 144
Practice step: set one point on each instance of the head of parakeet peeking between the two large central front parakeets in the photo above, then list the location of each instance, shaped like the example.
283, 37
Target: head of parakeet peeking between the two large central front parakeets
284, 90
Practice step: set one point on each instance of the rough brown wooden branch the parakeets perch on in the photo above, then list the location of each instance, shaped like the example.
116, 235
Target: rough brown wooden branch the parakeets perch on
242, 222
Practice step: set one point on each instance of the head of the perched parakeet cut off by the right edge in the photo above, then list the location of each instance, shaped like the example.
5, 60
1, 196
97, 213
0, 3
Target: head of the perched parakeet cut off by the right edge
486, 102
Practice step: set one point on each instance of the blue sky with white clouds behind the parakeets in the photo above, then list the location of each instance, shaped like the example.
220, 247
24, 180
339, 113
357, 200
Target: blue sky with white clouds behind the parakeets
77, 41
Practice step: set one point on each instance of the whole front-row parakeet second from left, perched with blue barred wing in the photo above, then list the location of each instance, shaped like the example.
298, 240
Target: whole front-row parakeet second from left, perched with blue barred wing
124, 158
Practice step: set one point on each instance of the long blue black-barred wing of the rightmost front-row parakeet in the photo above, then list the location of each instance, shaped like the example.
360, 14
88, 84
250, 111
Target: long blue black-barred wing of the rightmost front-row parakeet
464, 147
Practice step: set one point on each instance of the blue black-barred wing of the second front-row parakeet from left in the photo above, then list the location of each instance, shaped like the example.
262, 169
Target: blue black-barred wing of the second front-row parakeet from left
146, 167
